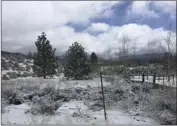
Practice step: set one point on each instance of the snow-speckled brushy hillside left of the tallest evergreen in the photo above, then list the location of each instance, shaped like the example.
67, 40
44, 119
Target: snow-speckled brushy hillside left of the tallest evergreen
15, 65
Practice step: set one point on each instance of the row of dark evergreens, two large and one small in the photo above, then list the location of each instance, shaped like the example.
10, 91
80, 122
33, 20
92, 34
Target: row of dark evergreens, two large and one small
76, 59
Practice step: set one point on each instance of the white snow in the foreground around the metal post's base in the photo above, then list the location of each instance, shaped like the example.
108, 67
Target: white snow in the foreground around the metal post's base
69, 113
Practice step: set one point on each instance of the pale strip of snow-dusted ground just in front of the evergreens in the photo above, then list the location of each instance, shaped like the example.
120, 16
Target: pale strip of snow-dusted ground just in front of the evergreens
58, 82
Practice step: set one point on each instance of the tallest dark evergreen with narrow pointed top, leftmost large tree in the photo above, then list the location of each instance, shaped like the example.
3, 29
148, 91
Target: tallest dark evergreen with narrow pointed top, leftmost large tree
44, 59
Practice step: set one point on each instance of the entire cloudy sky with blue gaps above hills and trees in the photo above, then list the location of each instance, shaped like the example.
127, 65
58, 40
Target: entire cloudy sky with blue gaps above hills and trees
97, 25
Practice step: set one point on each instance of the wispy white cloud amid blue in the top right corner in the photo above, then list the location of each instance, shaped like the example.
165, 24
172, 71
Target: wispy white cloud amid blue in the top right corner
144, 9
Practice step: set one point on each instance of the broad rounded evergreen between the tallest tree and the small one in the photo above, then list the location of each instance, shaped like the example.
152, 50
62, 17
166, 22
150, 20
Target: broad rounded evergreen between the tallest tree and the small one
76, 65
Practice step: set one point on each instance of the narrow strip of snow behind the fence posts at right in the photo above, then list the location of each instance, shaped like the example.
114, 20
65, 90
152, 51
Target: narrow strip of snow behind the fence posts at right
159, 80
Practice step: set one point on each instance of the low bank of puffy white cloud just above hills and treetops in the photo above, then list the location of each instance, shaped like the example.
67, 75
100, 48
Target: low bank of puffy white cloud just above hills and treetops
61, 38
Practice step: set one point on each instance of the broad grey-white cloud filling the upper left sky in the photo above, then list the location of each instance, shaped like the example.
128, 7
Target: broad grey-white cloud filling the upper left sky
41, 15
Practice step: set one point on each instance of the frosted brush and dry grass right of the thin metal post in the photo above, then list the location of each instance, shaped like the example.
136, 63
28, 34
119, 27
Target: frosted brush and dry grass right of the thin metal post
154, 102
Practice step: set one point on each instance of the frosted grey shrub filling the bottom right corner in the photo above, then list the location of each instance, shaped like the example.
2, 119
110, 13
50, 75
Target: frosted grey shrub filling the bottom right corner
163, 105
